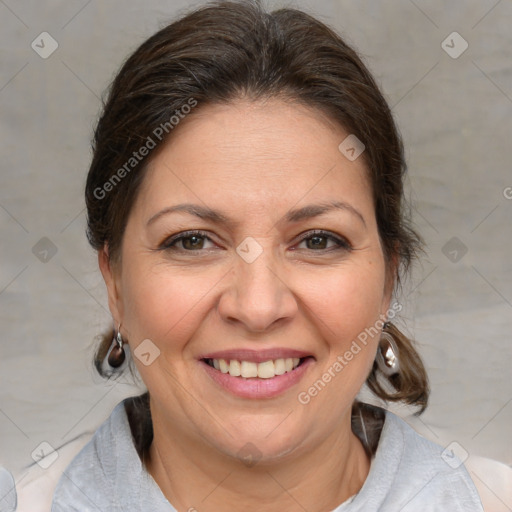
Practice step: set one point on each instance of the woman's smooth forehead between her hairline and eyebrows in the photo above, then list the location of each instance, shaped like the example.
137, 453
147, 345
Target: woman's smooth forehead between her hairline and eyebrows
255, 154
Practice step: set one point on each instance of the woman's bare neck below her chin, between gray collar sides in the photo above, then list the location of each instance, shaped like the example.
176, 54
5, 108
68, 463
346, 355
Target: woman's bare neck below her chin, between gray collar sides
194, 475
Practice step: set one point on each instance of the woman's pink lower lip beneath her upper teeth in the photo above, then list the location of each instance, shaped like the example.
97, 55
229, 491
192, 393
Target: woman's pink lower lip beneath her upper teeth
255, 387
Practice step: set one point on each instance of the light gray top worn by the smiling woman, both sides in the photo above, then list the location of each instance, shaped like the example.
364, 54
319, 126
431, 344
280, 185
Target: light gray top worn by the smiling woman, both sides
407, 474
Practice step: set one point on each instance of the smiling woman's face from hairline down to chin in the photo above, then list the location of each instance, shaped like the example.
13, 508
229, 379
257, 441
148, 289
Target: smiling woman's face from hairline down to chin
274, 274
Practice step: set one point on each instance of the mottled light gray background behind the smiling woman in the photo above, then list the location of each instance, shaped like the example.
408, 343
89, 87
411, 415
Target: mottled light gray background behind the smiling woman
456, 119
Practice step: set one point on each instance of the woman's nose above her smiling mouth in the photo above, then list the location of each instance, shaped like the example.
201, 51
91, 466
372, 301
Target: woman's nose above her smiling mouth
257, 295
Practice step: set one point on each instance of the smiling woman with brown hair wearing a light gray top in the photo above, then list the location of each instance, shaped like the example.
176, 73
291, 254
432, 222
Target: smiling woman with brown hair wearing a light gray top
245, 199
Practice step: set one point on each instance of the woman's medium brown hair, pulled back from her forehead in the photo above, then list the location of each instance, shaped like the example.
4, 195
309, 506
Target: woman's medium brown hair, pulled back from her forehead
228, 50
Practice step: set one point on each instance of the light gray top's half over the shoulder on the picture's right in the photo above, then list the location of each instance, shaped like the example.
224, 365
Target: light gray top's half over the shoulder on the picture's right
412, 474
